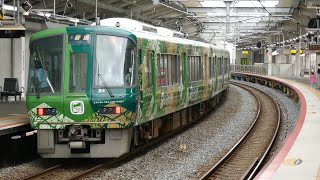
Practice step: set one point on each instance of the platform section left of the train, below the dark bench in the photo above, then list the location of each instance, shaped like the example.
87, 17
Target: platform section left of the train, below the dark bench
13, 117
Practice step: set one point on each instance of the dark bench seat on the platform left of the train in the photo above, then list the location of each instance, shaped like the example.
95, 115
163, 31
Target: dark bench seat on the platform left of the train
10, 88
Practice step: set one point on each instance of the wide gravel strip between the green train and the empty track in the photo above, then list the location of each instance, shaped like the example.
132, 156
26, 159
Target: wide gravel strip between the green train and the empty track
181, 156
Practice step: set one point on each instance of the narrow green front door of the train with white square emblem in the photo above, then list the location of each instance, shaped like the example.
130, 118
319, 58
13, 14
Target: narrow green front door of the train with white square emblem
77, 83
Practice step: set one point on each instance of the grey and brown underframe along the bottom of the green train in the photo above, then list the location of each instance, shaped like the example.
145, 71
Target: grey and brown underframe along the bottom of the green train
79, 141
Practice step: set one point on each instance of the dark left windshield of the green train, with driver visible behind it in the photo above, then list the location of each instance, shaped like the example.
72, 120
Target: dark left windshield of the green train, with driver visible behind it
45, 72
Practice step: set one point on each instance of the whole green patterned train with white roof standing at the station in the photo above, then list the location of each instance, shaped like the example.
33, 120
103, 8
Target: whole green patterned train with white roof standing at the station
98, 91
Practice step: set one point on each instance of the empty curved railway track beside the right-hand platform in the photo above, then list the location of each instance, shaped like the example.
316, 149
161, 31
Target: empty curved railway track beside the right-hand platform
244, 159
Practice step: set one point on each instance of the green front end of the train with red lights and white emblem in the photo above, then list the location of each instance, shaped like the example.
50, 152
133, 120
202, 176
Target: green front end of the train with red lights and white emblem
82, 90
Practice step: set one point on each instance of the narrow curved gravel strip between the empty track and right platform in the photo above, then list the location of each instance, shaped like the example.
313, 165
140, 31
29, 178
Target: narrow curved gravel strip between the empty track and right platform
289, 113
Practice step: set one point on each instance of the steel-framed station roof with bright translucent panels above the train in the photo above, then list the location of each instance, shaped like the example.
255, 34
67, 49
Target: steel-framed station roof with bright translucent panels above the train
242, 22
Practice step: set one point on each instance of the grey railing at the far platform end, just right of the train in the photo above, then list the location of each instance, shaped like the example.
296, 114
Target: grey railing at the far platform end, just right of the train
254, 69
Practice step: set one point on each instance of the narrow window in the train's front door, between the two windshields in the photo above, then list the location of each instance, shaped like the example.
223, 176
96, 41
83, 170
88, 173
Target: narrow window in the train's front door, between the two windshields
78, 72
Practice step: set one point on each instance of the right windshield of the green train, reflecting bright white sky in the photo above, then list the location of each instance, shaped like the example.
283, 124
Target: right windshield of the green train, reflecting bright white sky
114, 63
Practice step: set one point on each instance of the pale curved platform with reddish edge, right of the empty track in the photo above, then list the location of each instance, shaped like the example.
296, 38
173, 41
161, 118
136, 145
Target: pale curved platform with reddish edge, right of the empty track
299, 158
